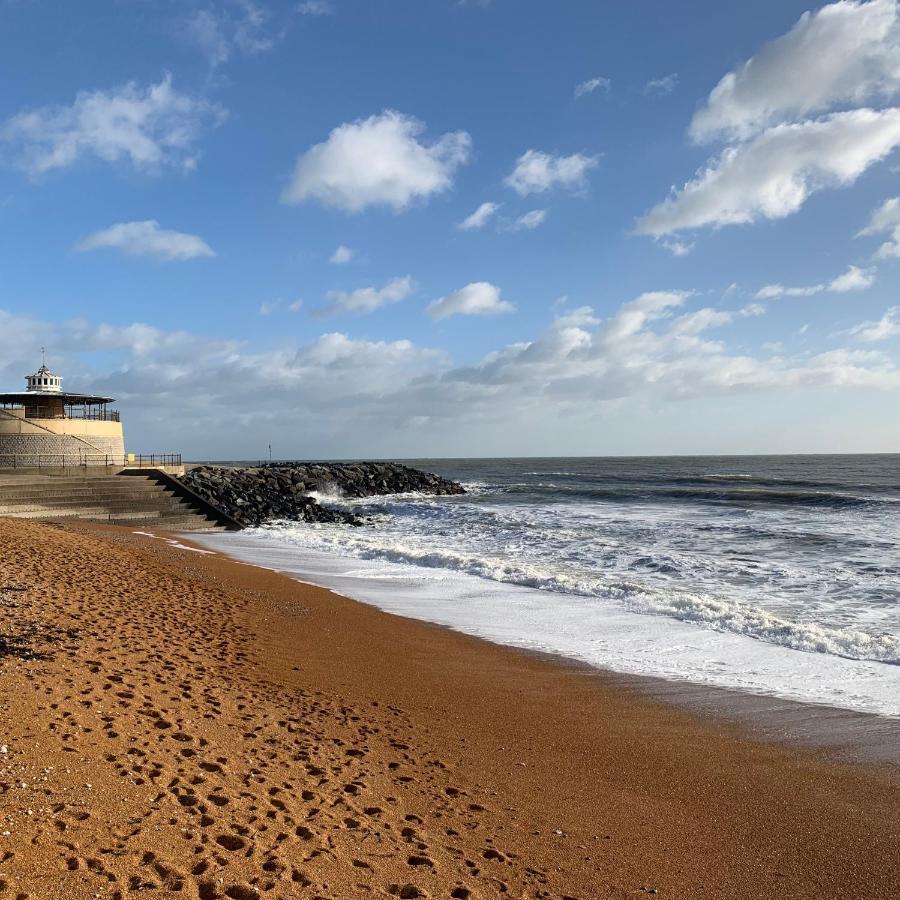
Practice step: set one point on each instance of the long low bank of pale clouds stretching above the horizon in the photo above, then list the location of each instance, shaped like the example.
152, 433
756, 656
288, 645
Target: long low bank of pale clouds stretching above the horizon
336, 394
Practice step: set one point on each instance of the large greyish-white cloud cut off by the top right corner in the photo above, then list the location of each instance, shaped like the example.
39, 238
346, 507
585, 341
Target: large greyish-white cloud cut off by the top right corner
846, 52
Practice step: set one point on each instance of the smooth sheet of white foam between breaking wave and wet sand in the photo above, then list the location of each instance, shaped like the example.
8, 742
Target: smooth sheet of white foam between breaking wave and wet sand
588, 629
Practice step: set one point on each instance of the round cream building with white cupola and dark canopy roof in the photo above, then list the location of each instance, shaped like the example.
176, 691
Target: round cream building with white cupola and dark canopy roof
46, 426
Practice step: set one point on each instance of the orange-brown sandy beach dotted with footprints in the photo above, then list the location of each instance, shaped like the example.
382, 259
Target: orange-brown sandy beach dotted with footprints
179, 724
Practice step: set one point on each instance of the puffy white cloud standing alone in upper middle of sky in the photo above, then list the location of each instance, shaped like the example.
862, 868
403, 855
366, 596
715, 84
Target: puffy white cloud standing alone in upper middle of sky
378, 161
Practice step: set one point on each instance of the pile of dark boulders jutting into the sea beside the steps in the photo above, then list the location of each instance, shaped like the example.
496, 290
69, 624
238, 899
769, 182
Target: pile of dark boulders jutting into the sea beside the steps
265, 493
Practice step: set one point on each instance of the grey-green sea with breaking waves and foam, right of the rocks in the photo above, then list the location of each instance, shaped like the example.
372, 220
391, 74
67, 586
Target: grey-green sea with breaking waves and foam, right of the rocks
774, 575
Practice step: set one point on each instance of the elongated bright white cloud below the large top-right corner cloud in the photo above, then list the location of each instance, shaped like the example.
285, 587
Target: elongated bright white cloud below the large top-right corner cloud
772, 175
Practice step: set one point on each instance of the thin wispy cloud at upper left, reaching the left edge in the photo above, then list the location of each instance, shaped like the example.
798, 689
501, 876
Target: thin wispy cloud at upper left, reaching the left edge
149, 127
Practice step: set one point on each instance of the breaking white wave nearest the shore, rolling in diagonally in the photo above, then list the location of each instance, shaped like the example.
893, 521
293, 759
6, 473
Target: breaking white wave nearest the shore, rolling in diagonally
710, 612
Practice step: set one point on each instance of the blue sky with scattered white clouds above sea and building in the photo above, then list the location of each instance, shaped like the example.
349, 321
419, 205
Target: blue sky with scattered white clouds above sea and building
406, 228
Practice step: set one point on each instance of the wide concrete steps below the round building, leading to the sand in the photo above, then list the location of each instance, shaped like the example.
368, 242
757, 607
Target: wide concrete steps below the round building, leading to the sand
141, 500
